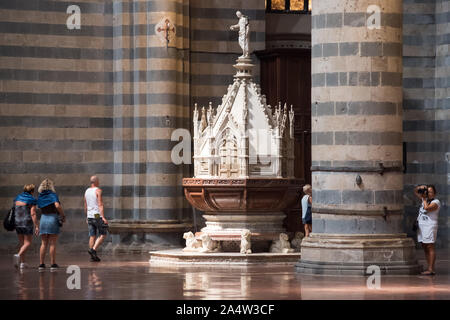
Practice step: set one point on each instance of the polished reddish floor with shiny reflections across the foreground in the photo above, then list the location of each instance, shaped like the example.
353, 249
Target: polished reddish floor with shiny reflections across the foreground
131, 277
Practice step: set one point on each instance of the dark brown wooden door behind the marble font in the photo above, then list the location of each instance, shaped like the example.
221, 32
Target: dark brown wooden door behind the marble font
286, 77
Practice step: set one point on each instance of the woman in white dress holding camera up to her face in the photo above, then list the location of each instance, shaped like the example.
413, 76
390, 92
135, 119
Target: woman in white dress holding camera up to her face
428, 223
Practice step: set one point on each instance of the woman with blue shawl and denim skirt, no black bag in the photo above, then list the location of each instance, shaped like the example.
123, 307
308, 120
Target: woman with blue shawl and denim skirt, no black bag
52, 217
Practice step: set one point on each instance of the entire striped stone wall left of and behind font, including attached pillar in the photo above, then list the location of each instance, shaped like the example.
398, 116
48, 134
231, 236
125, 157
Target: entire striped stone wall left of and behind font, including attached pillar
104, 100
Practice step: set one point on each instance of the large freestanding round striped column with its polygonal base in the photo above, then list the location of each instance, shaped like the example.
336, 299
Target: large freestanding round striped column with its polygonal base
357, 173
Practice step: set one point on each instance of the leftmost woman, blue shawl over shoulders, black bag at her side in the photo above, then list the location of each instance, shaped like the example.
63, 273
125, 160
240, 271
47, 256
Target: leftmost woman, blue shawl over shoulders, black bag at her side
25, 222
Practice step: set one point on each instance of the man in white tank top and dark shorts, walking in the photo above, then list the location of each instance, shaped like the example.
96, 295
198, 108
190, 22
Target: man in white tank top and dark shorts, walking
97, 223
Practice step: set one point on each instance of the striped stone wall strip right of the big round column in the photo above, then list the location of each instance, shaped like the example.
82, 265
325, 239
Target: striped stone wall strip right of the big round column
426, 105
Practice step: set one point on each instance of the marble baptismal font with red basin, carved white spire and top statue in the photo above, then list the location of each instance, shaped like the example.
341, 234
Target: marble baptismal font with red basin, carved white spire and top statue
243, 163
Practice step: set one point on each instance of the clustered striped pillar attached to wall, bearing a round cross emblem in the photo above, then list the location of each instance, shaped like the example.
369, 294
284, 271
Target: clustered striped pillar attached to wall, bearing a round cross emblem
151, 100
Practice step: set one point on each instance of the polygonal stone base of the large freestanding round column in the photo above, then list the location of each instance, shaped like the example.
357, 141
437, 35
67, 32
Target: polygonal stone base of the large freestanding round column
346, 254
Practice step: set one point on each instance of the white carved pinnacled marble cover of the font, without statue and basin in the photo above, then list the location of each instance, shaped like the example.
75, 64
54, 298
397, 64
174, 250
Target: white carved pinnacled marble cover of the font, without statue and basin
243, 136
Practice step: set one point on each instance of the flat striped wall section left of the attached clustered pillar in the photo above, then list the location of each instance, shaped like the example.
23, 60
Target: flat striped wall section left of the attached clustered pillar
55, 103
